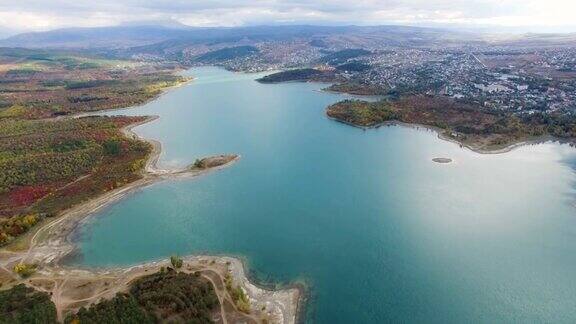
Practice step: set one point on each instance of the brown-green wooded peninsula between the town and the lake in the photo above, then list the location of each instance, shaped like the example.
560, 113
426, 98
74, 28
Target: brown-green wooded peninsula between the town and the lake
479, 129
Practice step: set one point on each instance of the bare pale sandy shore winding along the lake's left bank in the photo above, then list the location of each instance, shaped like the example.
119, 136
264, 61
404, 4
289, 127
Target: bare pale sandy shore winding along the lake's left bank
51, 243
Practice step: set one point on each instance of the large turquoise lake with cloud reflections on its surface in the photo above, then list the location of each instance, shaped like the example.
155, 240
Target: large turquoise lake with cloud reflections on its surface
378, 231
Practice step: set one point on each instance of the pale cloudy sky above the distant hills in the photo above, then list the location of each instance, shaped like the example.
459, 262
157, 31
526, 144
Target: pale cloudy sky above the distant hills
526, 15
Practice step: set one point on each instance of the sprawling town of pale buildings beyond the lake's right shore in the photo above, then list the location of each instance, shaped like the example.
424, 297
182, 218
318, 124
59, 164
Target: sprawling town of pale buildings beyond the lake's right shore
519, 80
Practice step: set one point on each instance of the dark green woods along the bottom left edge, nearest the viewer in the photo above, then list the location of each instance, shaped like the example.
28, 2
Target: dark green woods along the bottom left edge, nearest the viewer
163, 297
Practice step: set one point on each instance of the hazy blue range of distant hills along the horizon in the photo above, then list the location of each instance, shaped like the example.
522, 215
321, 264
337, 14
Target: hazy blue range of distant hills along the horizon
172, 37
